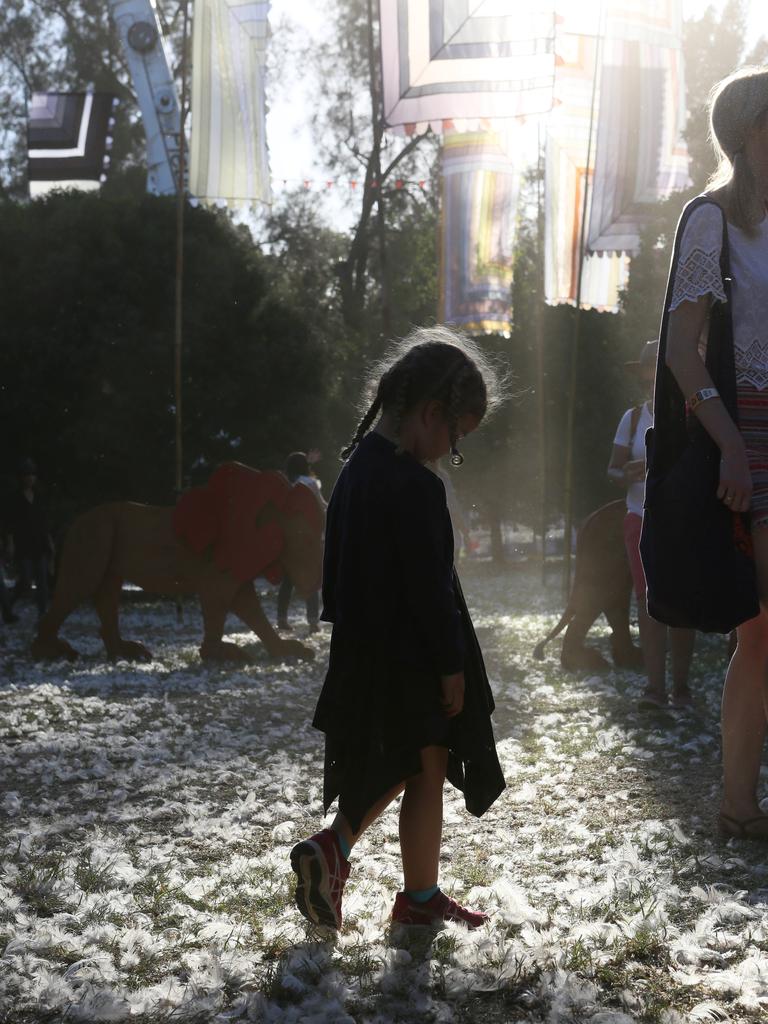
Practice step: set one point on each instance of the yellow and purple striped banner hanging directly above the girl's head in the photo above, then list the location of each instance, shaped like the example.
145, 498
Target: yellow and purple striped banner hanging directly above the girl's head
481, 186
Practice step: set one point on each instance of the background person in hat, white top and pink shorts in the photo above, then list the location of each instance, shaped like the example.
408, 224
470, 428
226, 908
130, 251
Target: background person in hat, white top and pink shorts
627, 468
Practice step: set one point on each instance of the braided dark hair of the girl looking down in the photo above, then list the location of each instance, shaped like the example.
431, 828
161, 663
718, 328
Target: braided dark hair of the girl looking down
432, 364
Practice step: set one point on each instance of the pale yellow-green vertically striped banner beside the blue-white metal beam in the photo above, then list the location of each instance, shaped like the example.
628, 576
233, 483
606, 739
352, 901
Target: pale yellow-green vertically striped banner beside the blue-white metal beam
229, 158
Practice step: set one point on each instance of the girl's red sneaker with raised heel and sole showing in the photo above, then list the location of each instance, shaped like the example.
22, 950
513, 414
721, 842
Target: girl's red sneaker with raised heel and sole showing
322, 871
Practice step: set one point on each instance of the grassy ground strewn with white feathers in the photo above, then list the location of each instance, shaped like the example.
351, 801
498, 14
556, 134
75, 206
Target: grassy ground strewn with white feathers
148, 813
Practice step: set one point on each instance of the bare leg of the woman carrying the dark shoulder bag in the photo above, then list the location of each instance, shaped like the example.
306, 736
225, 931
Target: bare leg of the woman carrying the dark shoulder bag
744, 712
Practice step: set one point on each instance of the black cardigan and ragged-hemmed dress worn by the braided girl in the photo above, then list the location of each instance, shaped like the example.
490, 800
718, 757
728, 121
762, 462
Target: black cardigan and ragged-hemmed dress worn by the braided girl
400, 623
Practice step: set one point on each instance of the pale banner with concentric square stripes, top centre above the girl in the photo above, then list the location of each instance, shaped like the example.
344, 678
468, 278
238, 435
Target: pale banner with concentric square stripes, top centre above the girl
448, 61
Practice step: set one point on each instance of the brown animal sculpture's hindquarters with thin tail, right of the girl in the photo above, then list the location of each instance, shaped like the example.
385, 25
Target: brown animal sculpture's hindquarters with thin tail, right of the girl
603, 584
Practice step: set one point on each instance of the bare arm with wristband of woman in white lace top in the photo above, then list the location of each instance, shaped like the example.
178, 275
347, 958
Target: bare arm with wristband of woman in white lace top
686, 327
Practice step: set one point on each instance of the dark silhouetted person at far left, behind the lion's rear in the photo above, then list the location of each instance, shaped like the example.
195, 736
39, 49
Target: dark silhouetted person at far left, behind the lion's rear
30, 533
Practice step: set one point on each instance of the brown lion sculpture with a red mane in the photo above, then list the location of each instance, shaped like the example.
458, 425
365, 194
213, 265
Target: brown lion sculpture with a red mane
217, 541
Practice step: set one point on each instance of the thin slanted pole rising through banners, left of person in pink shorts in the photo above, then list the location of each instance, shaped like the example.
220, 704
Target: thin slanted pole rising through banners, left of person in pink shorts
571, 420
